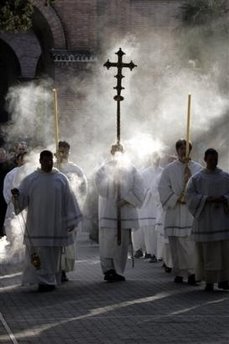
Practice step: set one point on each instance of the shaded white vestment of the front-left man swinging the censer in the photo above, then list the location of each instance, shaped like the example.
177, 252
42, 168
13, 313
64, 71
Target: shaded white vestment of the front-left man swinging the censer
52, 211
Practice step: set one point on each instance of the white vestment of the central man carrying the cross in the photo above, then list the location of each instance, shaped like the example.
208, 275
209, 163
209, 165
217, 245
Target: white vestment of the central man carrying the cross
132, 191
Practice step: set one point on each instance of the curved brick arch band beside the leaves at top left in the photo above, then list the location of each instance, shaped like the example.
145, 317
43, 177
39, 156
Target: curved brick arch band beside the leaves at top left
54, 23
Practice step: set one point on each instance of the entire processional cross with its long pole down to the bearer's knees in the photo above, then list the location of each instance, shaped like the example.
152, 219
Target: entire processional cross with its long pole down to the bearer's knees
118, 98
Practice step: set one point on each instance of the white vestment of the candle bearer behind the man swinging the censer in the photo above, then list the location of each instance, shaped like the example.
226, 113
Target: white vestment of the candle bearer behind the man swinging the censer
78, 183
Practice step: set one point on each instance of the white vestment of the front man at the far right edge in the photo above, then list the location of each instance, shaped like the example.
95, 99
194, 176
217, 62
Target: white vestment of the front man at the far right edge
211, 223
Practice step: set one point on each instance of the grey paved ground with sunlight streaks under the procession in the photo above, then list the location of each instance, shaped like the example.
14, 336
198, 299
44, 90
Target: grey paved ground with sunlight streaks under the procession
148, 308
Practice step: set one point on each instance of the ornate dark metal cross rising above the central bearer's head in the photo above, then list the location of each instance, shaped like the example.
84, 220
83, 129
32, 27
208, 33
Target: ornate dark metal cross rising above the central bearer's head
118, 97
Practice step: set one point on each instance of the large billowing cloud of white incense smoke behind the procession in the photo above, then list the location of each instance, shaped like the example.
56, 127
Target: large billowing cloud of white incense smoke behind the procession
153, 113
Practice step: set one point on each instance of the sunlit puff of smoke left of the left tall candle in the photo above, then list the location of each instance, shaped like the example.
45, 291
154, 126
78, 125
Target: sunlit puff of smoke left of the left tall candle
31, 107
